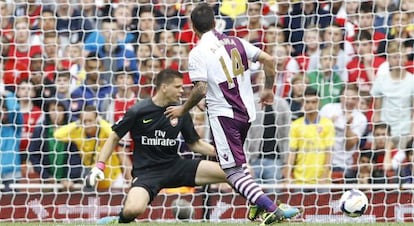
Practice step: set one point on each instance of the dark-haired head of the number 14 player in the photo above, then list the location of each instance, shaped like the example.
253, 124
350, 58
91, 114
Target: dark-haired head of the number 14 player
202, 17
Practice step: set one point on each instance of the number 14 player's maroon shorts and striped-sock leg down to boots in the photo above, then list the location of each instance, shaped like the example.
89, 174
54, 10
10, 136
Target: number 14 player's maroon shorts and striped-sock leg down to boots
229, 136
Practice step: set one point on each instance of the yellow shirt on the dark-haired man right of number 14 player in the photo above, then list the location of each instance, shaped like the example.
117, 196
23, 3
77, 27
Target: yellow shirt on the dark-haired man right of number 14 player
311, 141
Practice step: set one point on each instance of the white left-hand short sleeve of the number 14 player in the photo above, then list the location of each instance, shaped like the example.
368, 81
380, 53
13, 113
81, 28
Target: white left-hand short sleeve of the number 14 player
197, 68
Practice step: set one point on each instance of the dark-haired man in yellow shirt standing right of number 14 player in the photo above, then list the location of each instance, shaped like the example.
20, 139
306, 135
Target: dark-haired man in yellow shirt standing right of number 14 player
312, 138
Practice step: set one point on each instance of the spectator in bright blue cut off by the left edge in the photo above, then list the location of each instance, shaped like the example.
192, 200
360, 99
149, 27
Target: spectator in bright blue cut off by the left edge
11, 121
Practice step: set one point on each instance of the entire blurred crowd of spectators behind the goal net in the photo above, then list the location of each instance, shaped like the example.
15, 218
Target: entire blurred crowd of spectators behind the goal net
344, 105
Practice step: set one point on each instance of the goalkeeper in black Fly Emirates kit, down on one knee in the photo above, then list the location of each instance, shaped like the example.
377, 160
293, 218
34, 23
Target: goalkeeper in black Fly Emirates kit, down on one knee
156, 164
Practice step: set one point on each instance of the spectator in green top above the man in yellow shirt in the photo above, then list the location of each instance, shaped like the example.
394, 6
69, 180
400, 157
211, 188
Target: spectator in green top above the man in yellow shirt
325, 80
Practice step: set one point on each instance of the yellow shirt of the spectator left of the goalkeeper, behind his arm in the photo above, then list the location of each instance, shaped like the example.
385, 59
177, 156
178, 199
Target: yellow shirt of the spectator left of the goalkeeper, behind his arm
91, 146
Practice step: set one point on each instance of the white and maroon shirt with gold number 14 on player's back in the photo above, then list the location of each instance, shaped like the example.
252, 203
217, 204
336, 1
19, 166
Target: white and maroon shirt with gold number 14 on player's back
222, 61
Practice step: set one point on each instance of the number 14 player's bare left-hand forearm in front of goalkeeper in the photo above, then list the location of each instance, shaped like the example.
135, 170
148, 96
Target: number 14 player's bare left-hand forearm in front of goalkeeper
197, 94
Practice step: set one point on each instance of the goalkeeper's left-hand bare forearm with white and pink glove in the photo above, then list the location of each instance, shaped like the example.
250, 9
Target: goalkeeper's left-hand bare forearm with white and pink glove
97, 172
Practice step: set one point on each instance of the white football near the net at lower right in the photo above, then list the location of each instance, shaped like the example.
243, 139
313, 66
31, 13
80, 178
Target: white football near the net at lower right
353, 203
